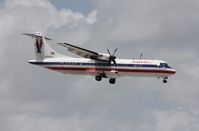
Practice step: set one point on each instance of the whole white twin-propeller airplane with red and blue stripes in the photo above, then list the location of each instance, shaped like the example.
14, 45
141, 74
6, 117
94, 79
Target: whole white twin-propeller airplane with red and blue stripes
96, 64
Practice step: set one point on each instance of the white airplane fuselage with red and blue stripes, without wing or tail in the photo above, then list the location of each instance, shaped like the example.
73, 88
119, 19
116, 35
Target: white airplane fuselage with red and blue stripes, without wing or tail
124, 67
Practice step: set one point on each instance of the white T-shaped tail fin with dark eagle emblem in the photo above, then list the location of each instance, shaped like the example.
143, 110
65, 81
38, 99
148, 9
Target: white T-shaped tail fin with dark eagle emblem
42, 49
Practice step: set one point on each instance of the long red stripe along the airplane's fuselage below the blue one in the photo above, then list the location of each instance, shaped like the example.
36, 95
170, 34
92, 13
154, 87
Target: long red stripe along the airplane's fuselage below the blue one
110, 69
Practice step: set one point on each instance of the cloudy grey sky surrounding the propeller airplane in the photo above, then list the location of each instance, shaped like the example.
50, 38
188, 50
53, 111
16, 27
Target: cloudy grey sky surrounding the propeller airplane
33, 98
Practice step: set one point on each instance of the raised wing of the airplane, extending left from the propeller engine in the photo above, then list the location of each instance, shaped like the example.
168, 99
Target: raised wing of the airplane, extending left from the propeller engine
81, 51
